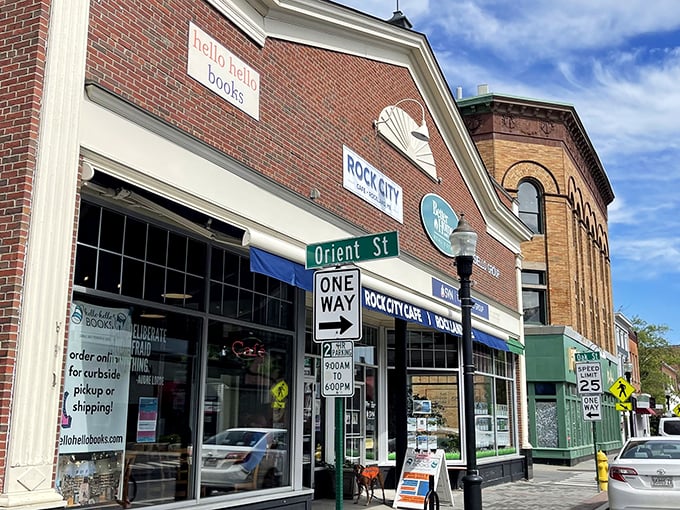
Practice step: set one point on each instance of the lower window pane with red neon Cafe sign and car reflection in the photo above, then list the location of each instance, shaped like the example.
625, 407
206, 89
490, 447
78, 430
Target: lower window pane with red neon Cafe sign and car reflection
246, 422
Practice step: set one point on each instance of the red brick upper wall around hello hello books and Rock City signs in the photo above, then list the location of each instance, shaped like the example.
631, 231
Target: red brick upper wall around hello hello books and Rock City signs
312, 102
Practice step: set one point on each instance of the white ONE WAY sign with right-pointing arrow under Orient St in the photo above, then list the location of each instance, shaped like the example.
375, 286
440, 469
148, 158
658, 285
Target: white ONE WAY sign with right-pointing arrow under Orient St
337, 305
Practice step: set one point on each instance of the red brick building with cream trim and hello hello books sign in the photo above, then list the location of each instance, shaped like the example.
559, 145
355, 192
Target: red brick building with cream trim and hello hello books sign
165, 165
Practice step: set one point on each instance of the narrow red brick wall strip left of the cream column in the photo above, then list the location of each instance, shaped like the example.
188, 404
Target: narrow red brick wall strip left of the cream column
22, 60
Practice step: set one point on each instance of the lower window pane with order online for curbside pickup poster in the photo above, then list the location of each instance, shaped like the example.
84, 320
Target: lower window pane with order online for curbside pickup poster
128, 388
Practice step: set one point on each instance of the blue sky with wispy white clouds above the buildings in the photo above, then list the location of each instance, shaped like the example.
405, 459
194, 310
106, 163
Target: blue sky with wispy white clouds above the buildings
618, 63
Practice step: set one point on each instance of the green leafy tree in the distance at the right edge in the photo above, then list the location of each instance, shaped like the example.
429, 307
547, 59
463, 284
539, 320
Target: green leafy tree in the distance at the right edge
653, 349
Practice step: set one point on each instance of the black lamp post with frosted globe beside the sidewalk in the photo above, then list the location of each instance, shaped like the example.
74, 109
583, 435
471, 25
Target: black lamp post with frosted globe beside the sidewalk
463, 243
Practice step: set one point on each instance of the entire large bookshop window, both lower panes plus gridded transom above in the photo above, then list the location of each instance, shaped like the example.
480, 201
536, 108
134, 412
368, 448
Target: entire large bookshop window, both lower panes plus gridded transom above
143, 295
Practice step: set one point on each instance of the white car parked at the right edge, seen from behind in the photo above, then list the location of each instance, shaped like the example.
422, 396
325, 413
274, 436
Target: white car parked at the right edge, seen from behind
646, 474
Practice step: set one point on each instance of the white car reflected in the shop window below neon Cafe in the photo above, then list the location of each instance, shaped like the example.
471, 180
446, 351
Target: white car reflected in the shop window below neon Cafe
244, 458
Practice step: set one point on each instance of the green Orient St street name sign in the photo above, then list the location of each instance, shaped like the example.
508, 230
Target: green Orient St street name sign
354, 249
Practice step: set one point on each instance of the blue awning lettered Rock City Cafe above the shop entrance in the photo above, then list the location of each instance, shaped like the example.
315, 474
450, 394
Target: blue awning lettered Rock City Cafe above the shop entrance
295, 274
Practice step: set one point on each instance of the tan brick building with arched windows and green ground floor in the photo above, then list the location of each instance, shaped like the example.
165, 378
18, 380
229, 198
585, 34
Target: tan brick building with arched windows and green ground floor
541, 154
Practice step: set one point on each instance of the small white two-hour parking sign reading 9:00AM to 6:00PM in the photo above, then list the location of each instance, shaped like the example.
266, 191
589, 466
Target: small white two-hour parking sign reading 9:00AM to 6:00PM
337, 369
